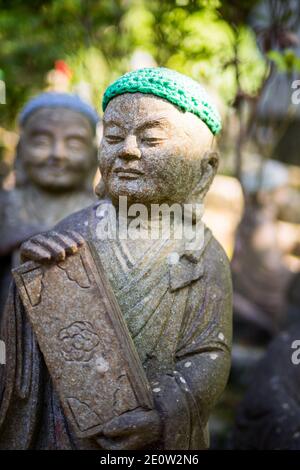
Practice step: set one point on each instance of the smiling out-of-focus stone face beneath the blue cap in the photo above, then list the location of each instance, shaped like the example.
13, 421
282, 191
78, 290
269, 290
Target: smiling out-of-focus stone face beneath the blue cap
57, 148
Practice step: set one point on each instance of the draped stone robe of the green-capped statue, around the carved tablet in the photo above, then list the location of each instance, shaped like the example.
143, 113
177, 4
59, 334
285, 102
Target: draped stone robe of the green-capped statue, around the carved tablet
179, 316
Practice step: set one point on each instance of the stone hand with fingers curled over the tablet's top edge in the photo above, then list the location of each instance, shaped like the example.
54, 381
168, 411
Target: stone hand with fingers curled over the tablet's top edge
51, 246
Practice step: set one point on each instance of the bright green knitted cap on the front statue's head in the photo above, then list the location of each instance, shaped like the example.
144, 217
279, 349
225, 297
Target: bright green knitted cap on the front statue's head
179, 89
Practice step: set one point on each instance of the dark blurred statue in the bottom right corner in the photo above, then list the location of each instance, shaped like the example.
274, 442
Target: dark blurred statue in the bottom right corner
269, 415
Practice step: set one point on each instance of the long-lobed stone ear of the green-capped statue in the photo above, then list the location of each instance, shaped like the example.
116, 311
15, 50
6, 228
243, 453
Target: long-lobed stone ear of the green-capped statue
209, 166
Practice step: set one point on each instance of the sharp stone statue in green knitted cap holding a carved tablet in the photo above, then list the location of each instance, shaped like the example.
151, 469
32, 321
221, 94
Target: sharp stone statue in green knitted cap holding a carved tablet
157, 148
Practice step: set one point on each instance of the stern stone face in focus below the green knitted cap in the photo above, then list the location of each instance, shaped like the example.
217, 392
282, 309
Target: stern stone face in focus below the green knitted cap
151, 151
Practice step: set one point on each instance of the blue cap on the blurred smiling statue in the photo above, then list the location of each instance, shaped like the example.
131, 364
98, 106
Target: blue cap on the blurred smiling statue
59, 100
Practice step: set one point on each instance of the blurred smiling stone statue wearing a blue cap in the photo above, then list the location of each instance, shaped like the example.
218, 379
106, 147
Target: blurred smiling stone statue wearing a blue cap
55, 164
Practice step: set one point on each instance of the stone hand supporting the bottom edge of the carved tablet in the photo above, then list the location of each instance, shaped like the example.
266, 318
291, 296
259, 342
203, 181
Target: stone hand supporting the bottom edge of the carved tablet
131, 431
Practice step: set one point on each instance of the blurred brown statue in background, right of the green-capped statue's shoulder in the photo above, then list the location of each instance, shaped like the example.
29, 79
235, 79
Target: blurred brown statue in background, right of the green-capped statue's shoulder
260, 276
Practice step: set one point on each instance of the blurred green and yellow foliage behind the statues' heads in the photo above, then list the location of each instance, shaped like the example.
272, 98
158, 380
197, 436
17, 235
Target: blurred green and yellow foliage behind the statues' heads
207, 39
